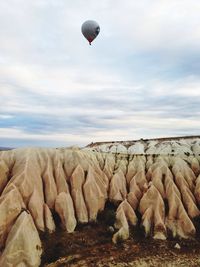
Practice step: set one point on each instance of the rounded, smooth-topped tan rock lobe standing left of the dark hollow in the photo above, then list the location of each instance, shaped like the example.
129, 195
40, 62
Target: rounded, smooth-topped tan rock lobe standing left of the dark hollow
64, 207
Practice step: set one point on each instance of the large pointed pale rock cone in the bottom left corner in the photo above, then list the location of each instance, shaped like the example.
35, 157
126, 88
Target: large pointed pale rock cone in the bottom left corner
23, 245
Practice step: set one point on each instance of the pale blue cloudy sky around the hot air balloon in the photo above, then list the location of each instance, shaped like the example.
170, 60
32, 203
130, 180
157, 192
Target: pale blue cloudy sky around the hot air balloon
140, 78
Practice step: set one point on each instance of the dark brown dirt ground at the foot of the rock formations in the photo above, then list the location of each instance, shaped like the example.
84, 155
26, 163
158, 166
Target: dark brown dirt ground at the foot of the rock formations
91, 245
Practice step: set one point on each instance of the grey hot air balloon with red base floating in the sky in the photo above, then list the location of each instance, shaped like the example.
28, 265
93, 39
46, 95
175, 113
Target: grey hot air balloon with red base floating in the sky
90, 29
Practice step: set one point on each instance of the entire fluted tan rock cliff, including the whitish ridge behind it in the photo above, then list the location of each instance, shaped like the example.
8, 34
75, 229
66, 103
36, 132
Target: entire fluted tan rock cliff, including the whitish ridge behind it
159, 180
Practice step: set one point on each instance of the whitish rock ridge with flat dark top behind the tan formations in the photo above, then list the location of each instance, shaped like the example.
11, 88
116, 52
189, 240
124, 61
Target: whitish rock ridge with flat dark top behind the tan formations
188, 145
